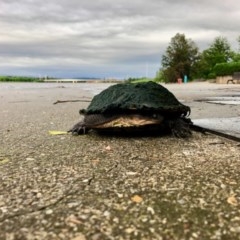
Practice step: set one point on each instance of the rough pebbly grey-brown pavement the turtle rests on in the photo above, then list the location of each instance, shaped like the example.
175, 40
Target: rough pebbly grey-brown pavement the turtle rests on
98, 187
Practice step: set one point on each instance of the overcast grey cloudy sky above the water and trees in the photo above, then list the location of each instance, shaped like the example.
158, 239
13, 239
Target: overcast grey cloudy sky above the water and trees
105, 38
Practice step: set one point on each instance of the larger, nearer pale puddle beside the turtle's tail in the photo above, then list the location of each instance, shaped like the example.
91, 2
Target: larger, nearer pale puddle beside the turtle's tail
229, 126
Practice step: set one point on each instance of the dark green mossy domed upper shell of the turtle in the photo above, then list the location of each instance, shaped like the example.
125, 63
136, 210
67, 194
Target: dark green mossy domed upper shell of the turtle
148, 97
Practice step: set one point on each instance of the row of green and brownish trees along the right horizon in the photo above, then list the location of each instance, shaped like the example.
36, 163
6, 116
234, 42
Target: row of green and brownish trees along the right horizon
182, 58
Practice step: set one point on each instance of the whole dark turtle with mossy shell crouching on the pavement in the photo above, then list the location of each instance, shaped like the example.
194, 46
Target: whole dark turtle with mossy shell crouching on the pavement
134, 107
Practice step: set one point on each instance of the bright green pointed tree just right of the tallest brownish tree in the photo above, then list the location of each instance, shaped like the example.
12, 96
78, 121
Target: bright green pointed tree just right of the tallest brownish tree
218, 52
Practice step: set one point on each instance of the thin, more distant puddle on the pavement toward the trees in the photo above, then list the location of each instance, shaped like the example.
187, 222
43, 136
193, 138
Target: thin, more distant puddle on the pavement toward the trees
226, 100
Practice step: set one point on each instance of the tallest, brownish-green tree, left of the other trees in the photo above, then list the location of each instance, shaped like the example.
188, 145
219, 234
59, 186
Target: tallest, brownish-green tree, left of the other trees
179, 58
